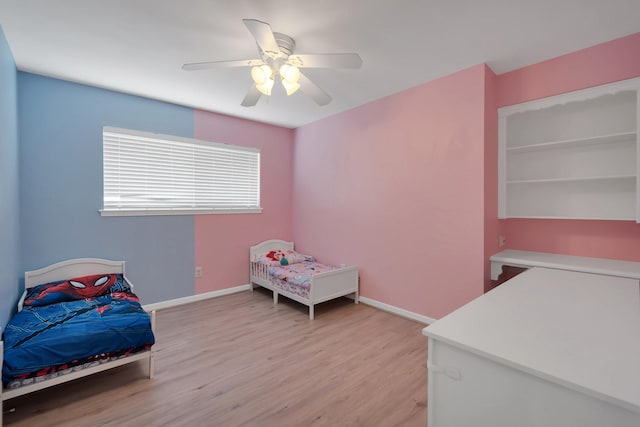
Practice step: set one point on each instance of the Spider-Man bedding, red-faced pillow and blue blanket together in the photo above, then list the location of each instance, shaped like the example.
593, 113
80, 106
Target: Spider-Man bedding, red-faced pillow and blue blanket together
65, 324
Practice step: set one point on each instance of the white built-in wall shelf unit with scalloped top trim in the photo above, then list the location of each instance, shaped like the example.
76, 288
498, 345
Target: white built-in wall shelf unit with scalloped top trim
571, 156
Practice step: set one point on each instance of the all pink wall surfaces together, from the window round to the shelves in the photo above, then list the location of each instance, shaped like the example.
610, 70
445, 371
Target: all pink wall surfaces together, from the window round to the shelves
406, 187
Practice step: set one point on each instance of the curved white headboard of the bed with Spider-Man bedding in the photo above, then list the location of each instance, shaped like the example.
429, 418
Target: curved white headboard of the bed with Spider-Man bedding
70, 269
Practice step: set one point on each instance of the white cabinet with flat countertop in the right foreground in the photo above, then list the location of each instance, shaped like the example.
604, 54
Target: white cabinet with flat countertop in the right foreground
546, 348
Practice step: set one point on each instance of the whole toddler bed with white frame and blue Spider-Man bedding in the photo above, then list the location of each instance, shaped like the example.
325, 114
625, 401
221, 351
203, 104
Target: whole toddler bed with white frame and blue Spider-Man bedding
75, 318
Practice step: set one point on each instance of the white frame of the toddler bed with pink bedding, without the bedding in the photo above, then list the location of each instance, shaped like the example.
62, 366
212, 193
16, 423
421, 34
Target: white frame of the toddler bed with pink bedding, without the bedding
323, 287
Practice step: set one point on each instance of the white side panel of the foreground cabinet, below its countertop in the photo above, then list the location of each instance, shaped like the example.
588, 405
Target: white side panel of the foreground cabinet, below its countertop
490, 394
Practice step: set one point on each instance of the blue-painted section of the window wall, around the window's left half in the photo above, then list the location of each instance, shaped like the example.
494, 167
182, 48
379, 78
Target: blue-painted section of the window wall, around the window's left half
60, 127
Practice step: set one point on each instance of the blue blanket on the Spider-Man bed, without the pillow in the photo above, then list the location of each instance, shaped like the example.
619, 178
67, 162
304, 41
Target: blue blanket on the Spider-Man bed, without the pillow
40, 337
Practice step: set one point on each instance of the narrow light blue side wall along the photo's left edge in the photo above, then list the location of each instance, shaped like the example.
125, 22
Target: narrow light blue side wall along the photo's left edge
9, 202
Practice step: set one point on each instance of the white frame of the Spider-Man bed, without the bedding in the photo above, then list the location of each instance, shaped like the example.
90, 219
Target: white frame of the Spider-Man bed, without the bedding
67, 270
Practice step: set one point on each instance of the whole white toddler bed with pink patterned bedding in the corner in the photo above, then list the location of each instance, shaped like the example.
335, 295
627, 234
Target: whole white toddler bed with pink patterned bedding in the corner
299, 278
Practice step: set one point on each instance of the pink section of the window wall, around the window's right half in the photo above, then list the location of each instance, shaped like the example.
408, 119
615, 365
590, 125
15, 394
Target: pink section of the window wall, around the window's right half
222, 241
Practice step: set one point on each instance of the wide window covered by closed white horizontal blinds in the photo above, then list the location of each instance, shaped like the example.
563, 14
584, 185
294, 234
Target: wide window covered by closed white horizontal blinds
149, 174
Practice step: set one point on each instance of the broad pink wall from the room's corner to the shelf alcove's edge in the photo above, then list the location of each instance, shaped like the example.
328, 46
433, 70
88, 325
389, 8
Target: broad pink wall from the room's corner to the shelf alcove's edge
396, 188
